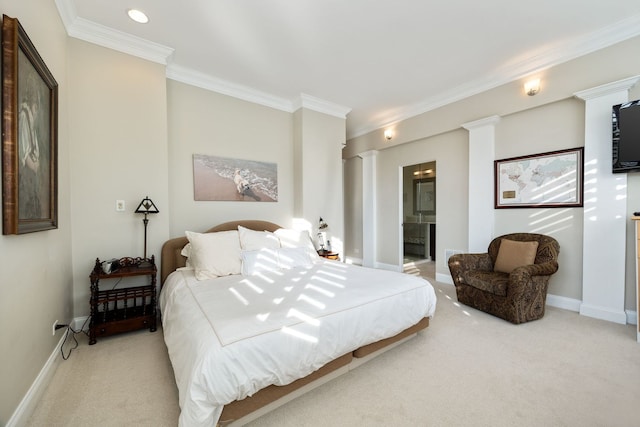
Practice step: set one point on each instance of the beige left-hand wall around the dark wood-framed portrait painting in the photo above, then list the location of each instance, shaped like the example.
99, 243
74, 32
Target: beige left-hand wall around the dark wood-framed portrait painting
35, 269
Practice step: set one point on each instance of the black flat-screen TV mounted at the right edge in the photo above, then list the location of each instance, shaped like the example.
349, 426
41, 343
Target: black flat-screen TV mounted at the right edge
626, 137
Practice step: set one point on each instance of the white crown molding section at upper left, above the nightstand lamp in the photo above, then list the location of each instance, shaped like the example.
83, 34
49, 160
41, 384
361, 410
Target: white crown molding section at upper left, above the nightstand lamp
101, 35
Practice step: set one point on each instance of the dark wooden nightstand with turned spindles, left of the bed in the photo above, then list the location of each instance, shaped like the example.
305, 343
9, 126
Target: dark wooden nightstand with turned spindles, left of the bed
116, 310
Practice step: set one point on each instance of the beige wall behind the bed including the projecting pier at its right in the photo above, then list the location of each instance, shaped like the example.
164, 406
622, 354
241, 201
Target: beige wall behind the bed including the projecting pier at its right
305, 146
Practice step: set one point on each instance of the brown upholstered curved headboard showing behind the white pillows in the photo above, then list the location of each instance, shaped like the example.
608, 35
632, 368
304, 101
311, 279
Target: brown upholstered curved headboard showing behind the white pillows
172, 259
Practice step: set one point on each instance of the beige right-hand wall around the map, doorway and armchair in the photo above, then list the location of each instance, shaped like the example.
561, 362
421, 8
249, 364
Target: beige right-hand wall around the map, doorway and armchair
551, 120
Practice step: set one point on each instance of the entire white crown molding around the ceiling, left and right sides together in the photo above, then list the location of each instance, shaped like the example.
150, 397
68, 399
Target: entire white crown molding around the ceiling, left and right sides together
92, 32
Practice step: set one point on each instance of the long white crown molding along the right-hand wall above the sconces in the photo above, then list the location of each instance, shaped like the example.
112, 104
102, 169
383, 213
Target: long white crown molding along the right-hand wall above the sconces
556, 55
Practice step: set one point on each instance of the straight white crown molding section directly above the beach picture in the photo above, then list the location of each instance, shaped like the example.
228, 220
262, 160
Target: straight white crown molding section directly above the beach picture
225, 87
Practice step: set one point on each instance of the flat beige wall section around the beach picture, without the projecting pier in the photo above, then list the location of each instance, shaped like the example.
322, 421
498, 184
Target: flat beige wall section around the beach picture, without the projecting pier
204, 122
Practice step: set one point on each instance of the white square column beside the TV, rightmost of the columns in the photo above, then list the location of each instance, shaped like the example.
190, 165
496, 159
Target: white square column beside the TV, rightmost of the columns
605, 207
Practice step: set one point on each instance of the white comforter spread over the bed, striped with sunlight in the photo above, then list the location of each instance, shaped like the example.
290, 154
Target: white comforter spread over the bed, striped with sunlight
232, 336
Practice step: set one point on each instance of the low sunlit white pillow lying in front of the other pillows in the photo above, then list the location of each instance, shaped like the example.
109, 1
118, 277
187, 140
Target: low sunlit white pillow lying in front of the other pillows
272, 260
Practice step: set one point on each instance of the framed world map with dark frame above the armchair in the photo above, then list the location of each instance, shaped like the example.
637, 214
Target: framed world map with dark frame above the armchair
546, 180
